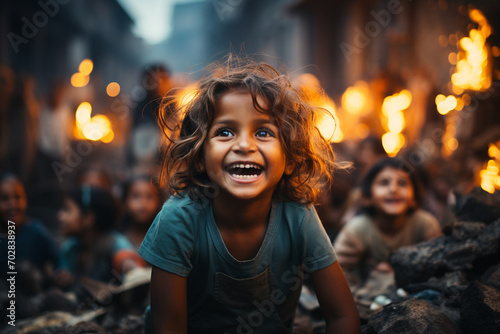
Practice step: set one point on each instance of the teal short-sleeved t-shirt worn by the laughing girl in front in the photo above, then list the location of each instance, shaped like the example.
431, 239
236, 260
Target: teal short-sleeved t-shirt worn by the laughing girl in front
225, 295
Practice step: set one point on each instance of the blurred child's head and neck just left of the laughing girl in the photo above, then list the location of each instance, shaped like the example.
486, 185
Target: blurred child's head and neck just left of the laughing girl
141, 205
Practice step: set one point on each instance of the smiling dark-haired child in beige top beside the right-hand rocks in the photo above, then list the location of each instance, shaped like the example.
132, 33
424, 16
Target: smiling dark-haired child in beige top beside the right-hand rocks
391, 219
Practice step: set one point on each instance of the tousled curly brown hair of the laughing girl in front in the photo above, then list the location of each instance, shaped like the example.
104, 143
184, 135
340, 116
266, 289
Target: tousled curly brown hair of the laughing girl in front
186, 128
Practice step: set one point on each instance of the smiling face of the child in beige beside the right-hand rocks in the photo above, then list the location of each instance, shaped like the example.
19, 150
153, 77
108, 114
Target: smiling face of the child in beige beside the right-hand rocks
392, 192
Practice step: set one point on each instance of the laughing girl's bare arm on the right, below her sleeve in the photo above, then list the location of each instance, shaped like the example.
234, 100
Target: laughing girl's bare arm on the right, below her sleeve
336, 301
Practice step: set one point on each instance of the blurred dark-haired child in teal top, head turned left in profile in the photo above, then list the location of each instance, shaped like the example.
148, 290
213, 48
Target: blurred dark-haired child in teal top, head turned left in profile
92, 248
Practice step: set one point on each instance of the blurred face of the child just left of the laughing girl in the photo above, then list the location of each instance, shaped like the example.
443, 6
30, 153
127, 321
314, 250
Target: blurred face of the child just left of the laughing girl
142, 202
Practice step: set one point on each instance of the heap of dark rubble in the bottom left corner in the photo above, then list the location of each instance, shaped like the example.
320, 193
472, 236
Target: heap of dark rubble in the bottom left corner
89, 307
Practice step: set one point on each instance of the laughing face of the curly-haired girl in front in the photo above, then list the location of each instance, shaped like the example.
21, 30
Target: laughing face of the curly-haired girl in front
243, 154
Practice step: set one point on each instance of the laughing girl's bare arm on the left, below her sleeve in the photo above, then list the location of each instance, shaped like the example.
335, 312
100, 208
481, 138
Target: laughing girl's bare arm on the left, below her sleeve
168, 302
